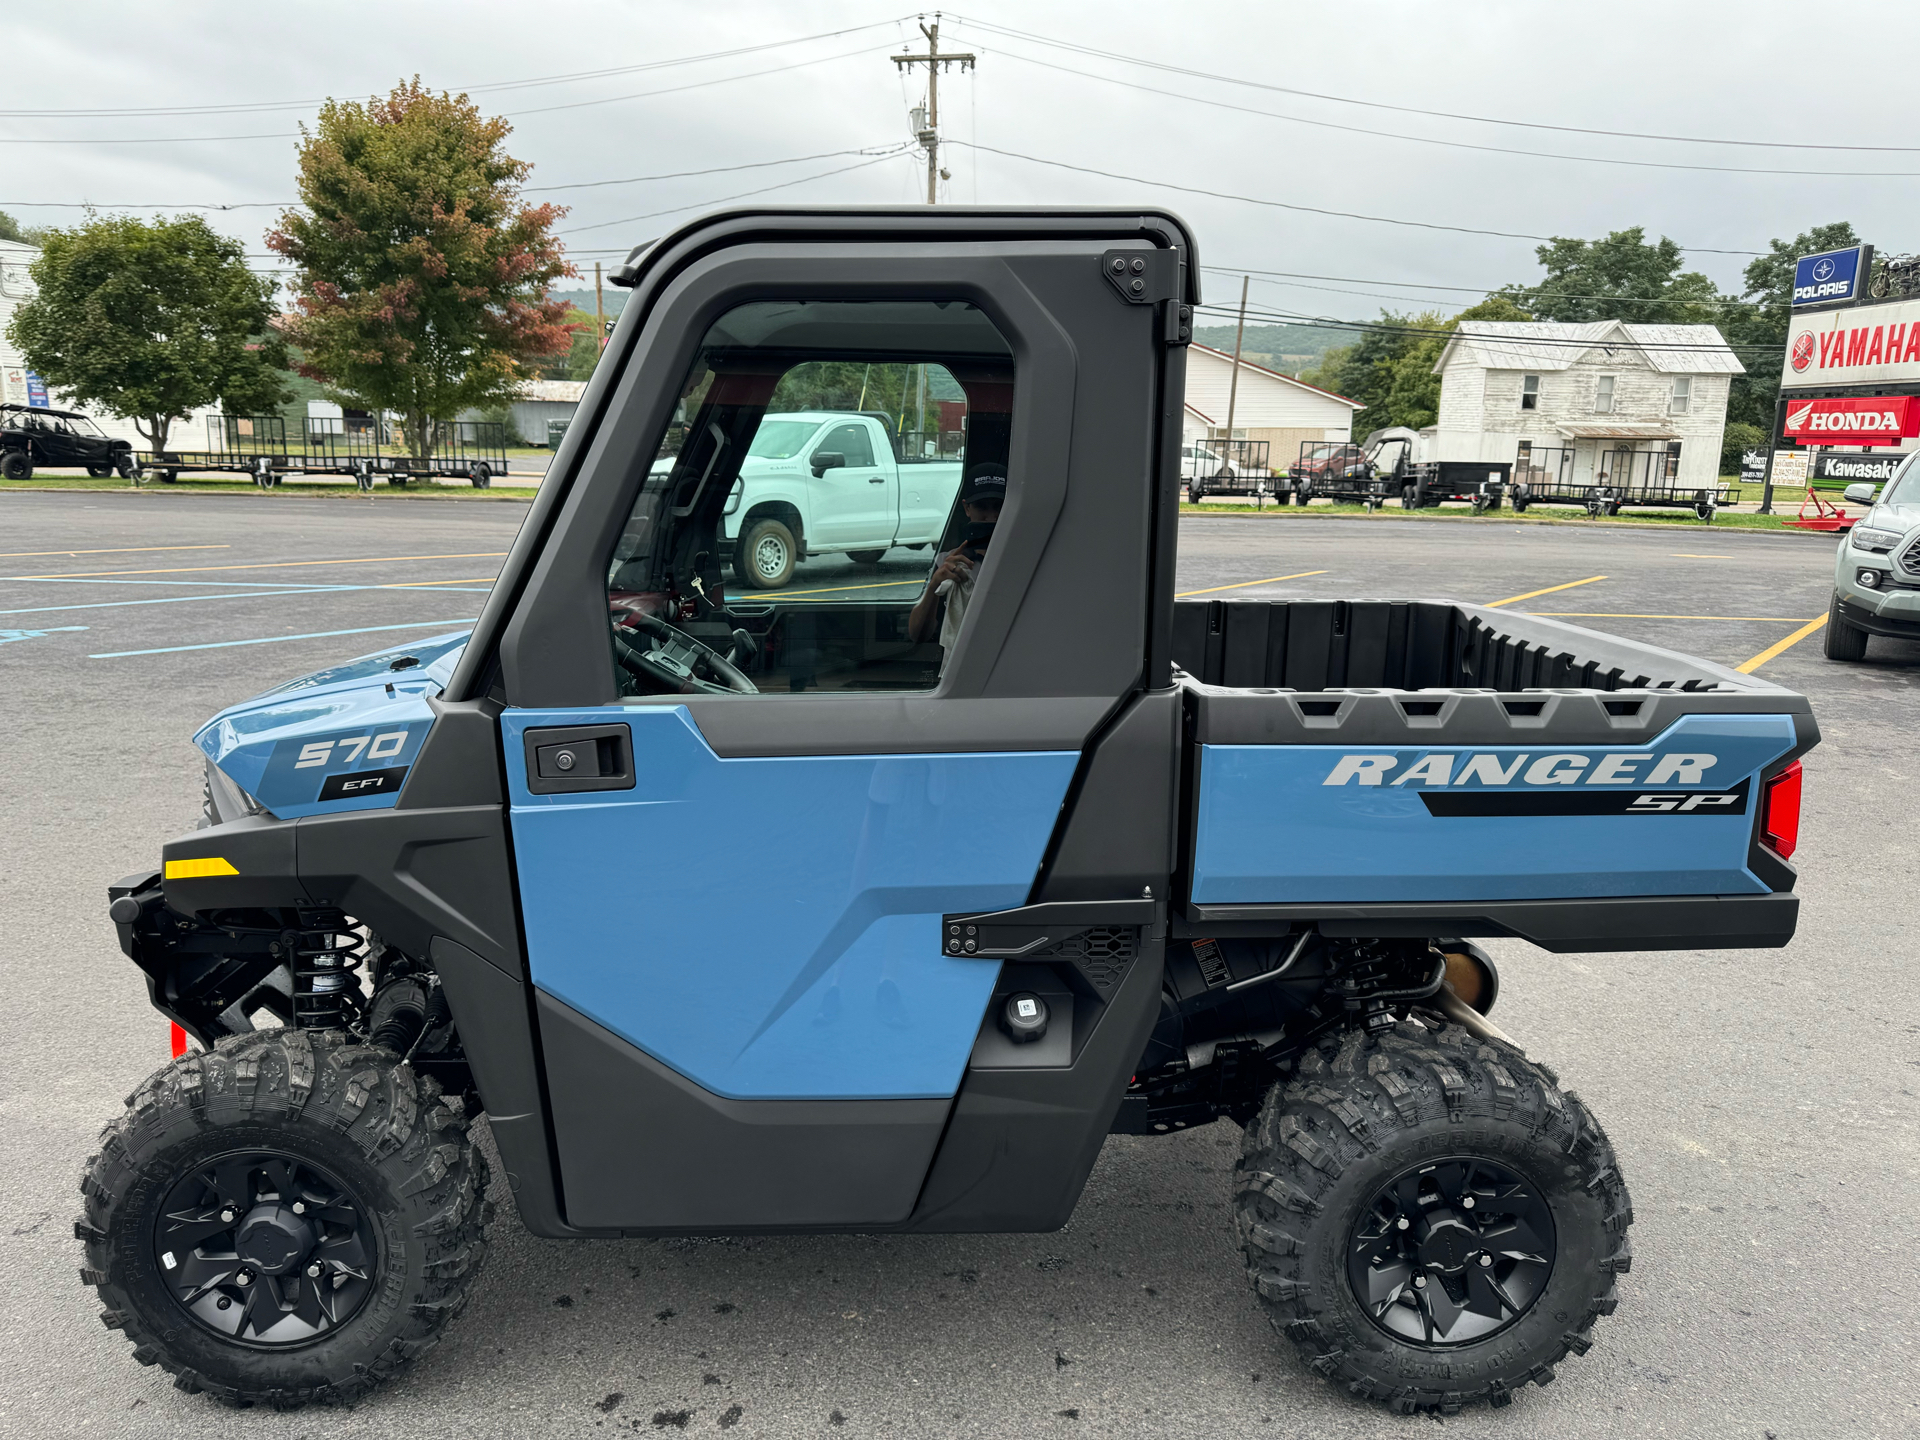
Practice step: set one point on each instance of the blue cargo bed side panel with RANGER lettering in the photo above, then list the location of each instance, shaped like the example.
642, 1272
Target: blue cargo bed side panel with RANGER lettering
1278, 823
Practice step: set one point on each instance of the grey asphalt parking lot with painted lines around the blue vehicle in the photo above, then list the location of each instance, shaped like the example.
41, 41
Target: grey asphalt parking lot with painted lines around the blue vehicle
1763, 1102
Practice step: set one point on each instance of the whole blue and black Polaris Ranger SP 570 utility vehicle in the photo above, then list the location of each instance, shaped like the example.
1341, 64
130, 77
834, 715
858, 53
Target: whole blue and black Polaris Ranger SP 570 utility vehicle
752, 912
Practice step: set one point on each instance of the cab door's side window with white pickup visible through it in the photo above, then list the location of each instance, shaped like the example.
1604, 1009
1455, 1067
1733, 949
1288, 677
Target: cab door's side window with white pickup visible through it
819, 508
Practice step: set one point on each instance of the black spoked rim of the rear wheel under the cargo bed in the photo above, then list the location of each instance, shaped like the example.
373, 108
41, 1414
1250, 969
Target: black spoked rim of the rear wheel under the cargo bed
1451, 1252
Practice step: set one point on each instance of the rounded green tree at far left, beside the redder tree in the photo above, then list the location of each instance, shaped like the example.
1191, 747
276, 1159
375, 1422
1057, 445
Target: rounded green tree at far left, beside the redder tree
151, 320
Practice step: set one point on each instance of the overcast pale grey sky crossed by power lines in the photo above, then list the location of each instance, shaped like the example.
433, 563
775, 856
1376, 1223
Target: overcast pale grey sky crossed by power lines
1816, 76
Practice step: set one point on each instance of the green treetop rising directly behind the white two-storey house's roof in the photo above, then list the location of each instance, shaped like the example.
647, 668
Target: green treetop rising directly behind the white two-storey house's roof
1618, 280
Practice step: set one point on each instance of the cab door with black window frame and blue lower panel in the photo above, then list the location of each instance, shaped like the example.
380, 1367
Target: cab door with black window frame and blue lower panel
733, 896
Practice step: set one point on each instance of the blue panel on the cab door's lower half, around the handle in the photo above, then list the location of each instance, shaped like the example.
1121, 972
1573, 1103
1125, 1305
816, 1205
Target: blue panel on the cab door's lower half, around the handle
771, 927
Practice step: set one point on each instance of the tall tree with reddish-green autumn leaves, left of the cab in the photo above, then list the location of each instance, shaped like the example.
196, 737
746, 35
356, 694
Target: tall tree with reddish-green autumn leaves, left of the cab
422, 274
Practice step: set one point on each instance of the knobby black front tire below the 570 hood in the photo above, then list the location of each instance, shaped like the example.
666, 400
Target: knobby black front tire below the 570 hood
343, 1115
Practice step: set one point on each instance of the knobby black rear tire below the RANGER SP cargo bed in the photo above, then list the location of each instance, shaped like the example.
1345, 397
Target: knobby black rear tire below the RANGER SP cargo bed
1355, 1125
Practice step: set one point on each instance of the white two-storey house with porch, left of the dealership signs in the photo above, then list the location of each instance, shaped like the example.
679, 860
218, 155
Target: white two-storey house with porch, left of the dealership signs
1580, 404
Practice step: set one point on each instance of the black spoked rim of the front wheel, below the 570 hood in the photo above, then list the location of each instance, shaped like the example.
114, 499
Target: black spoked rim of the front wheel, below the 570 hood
266, 1250
